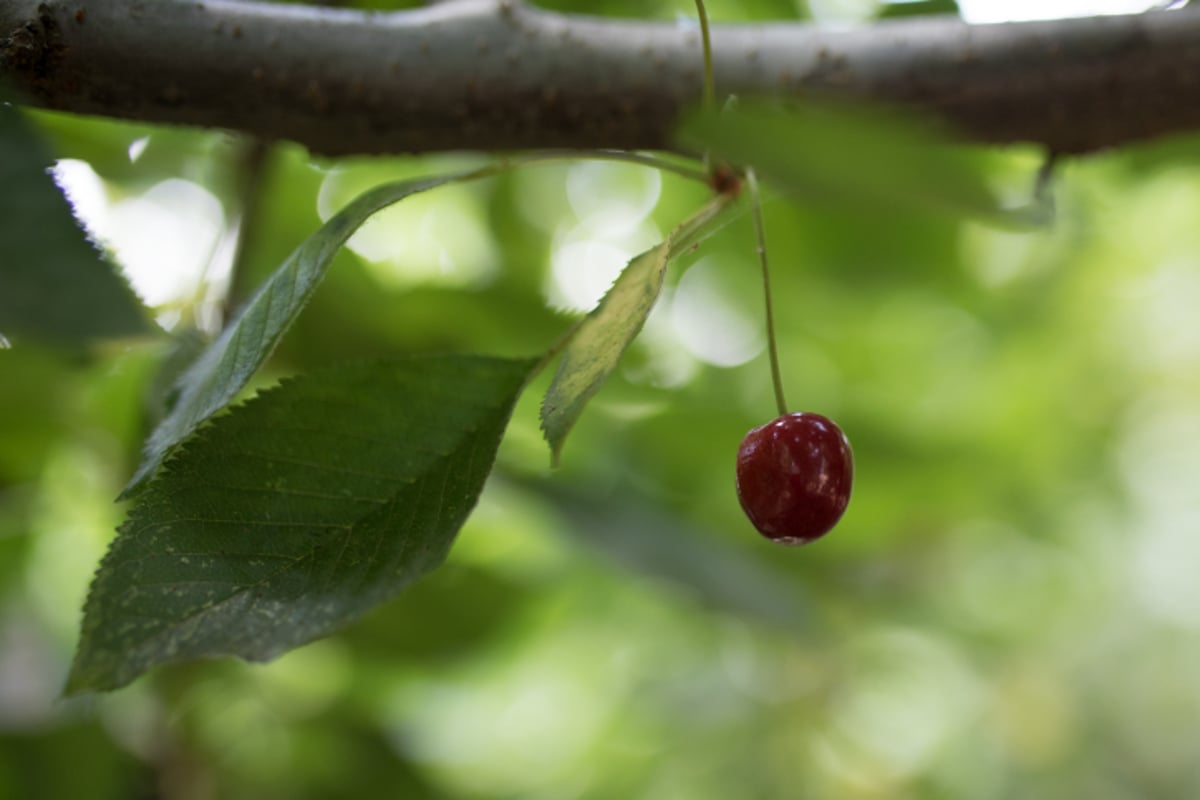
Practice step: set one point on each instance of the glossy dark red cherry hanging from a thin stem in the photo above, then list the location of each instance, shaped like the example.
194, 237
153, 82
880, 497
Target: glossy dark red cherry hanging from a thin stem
794, 478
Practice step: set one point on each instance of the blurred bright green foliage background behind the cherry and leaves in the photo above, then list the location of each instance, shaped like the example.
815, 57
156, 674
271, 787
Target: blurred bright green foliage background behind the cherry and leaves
1009, 609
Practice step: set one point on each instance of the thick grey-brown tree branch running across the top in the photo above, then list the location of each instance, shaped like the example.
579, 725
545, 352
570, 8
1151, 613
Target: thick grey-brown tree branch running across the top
499, 75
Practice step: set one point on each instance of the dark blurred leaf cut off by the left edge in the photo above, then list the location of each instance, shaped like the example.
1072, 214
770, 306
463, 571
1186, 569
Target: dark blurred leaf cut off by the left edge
55, 285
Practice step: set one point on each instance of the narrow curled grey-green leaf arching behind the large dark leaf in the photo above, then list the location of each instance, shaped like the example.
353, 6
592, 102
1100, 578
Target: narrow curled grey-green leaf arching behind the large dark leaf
224, 369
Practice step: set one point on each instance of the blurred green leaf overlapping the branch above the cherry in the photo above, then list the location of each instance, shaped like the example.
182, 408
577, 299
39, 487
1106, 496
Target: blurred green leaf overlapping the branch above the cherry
854, 158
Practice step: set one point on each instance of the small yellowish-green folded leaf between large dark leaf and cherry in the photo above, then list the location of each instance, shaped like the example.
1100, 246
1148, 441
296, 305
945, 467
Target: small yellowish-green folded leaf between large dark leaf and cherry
603, 336
